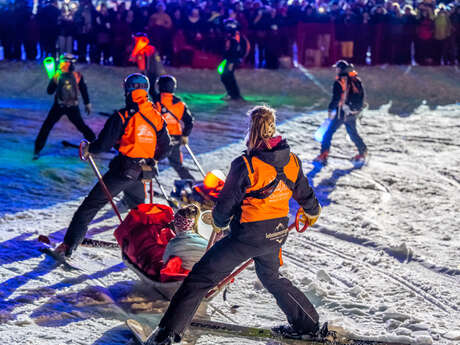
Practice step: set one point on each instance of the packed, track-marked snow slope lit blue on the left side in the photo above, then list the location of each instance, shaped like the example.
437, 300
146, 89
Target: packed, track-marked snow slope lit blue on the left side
381, 263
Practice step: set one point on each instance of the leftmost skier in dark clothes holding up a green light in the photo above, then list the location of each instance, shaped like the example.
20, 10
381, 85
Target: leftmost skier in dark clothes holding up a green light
66, 83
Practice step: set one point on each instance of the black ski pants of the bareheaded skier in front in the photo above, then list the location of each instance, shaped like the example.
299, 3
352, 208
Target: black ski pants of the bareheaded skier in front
219, 262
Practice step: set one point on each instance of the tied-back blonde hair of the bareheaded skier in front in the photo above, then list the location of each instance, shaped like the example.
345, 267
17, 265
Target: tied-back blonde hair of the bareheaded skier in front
261, 128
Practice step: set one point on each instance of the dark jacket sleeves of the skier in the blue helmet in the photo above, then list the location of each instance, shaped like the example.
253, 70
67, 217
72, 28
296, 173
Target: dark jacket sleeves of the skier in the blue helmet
114, 129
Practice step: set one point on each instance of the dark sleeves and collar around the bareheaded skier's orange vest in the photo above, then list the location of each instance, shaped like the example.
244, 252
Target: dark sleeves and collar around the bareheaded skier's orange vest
234, 191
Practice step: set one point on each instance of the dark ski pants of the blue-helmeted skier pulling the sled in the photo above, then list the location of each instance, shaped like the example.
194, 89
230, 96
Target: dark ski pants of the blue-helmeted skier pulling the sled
96, 199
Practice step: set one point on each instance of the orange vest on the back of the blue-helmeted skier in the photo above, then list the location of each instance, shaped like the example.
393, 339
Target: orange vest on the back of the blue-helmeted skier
140, 137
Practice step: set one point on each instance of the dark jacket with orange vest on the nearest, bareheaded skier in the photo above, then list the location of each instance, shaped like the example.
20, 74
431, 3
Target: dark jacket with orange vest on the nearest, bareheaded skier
258, 187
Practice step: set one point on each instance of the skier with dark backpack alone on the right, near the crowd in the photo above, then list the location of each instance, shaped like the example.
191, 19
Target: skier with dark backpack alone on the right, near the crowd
347, 103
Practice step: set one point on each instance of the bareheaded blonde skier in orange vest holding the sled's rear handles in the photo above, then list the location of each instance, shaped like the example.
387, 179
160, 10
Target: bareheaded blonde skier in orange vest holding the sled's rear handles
255, 202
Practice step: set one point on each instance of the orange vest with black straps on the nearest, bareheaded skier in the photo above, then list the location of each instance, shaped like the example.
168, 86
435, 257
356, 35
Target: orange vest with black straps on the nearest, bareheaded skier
270, 191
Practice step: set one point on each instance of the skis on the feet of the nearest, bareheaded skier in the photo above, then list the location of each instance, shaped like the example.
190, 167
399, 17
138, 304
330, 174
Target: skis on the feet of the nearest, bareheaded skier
142, 332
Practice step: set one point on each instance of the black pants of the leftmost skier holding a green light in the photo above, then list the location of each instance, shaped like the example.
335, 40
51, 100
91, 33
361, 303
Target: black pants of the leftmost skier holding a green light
56, 112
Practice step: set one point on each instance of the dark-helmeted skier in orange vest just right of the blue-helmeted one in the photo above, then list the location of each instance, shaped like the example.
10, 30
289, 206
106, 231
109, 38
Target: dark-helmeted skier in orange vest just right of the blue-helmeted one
179, 120
